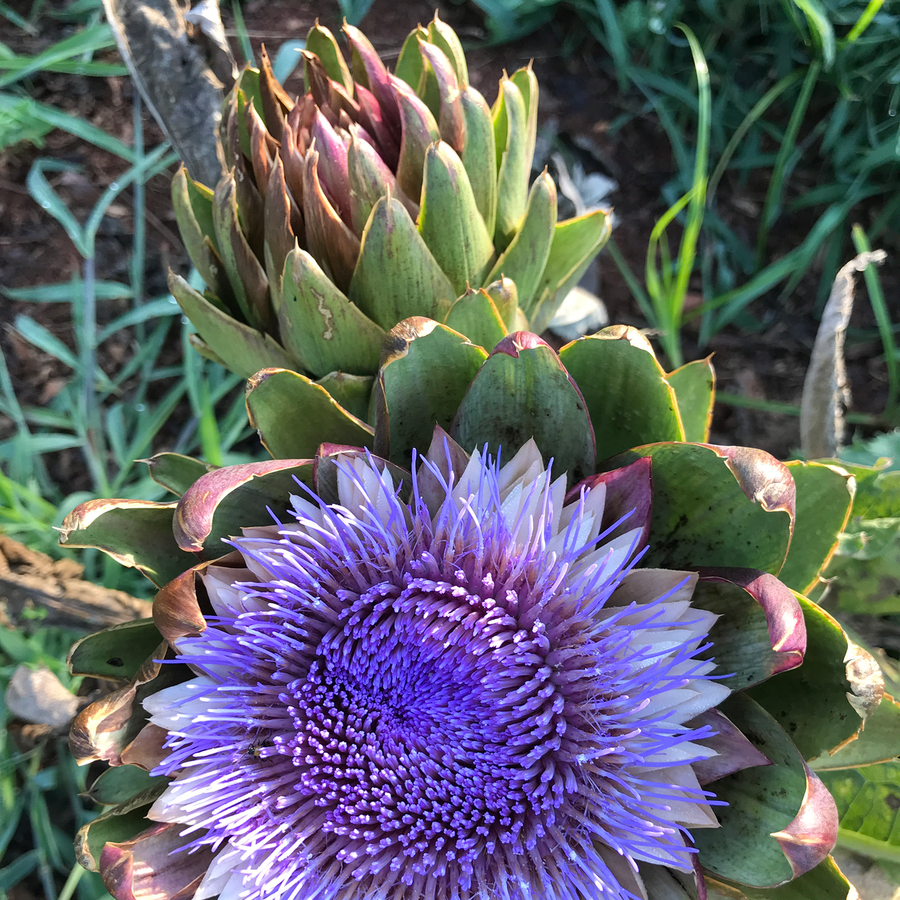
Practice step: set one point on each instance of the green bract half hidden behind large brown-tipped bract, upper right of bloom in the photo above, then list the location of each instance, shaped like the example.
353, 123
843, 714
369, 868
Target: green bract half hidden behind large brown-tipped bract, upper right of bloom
824, 497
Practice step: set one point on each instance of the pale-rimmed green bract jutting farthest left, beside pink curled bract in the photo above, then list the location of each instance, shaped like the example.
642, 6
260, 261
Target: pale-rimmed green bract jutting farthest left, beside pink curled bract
135, 533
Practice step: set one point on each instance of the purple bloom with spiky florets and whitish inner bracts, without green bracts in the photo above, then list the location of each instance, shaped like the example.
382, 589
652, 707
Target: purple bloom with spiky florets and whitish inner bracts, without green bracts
469, 693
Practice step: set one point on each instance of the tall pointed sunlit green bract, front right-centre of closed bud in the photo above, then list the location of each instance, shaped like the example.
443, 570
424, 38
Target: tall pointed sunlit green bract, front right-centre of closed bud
449, 220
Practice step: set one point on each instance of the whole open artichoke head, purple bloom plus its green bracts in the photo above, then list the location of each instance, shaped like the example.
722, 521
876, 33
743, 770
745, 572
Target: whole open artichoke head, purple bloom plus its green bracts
538, 639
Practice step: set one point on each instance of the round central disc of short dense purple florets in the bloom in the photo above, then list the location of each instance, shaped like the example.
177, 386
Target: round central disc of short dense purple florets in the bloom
426, 727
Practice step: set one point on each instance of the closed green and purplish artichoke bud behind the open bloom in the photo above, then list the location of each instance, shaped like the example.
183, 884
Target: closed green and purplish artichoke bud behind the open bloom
374, 197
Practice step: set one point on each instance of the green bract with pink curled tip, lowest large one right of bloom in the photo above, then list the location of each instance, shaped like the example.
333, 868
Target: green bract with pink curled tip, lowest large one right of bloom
765, 804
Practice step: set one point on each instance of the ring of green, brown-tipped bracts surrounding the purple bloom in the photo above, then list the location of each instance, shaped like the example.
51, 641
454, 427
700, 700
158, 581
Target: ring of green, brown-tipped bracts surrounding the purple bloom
758, 533
